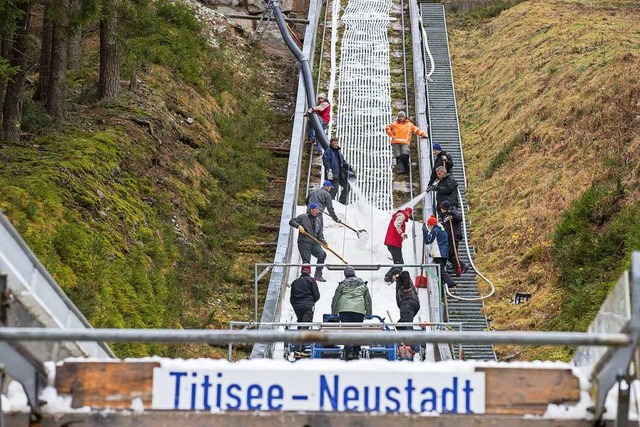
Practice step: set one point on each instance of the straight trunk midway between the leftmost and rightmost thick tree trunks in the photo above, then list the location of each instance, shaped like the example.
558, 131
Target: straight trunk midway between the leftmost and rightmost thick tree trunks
56, 97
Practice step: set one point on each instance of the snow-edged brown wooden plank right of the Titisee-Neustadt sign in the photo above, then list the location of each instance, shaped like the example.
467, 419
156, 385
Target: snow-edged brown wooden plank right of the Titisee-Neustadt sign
513, 391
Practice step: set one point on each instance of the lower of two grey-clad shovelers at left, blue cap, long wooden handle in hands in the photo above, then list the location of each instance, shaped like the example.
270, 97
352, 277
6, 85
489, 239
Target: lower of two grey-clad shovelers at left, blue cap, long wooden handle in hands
310, 227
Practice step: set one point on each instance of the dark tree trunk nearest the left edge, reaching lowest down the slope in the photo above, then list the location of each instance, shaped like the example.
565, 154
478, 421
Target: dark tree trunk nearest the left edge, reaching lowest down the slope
12, 110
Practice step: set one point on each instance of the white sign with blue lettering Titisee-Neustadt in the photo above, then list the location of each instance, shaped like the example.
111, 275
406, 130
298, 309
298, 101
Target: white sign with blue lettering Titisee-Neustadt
318, 390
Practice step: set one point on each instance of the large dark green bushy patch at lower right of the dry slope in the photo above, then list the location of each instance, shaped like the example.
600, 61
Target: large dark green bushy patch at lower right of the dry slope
592, 246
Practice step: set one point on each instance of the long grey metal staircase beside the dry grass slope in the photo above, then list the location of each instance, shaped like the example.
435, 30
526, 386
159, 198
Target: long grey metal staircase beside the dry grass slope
445, 129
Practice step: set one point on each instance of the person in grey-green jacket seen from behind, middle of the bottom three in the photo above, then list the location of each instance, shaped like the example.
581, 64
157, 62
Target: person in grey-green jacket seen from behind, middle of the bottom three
352, 302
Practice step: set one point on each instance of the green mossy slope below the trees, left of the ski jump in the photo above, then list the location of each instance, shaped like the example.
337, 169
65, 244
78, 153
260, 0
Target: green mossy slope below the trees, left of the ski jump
137, 213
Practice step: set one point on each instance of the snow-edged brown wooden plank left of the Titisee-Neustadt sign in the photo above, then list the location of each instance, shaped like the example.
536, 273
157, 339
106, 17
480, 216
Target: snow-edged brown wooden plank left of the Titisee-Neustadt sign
106, 384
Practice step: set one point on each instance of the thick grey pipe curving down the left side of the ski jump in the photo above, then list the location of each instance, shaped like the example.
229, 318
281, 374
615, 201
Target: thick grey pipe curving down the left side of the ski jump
314, 120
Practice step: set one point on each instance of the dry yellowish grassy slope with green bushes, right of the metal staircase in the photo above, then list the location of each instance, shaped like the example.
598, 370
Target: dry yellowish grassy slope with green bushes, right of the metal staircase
549, 94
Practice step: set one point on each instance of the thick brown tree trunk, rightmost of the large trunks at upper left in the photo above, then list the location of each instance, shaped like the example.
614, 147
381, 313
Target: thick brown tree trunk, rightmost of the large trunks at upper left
109, 83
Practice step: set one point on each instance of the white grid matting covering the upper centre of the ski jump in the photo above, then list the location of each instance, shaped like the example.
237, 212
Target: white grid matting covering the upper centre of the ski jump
364, 93
